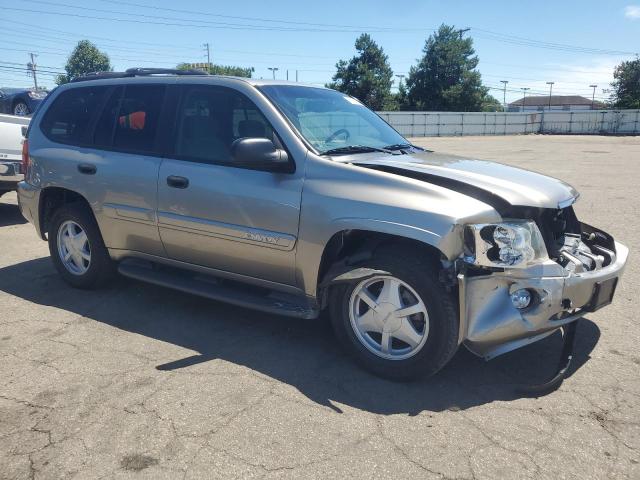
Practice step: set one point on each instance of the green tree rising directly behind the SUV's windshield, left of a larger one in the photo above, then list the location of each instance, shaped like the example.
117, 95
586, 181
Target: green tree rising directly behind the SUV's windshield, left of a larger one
367, 76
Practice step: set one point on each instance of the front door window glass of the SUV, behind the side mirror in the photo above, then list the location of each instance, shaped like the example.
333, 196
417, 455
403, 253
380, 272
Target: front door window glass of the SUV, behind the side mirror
211, 118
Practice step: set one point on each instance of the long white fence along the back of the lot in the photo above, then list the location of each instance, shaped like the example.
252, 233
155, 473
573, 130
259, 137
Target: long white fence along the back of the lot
435, 124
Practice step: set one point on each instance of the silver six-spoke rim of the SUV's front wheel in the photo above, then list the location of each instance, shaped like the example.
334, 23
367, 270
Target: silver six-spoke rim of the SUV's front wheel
388, 317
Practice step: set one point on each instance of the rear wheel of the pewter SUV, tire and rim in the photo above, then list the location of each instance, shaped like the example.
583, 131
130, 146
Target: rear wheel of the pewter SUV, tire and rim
77, 248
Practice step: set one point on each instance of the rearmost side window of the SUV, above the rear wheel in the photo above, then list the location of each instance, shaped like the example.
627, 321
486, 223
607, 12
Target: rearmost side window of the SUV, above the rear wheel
68, 118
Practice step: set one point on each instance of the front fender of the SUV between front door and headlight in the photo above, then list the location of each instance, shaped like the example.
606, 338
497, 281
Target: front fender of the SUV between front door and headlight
339, 197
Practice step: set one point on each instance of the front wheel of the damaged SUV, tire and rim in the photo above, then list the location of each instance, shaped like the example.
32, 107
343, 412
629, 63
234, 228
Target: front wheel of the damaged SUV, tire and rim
400, 326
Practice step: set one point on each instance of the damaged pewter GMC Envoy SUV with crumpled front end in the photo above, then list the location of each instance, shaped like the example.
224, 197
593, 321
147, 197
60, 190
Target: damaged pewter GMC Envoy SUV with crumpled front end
295, 200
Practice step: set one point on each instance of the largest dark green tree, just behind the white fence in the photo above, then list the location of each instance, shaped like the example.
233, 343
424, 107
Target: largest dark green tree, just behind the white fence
446, 78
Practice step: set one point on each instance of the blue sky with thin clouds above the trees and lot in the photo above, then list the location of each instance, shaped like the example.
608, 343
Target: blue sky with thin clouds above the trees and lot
572, 43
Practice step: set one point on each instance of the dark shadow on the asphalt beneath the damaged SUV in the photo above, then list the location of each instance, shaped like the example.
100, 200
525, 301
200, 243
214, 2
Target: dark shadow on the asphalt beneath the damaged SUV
300, 353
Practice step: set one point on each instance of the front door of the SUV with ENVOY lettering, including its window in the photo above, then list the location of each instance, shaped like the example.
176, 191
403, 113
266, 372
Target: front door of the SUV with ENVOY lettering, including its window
215, 214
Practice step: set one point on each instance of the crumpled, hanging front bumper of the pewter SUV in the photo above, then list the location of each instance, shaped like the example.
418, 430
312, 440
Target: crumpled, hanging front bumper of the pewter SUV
489, 323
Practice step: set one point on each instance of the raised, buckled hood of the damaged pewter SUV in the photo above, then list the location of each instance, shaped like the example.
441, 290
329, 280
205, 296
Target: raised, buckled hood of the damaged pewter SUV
494, 183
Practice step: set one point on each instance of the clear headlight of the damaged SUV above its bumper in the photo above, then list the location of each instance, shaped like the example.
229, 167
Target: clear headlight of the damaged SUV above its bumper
512, 244
